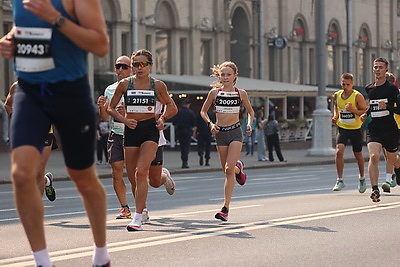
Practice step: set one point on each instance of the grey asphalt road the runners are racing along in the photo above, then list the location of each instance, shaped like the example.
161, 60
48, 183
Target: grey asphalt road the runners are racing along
281, 217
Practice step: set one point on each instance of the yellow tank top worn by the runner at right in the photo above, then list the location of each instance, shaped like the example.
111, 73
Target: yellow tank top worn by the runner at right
347, 120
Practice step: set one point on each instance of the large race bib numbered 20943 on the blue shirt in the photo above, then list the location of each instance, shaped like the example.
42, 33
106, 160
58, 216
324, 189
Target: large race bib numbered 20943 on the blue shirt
33, 49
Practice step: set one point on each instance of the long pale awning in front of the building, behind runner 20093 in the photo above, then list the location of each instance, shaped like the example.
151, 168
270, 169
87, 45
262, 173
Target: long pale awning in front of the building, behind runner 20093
254, 87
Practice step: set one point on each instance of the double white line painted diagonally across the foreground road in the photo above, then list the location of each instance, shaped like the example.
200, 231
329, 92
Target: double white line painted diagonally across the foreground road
219, 230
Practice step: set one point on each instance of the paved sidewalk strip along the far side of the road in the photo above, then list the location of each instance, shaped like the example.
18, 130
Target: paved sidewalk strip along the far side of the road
295, 153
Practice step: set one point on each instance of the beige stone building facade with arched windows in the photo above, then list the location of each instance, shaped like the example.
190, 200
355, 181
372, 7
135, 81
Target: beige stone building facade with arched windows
271, 40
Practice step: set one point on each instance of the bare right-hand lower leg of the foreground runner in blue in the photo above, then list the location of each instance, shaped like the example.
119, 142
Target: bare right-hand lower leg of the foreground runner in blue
94, 201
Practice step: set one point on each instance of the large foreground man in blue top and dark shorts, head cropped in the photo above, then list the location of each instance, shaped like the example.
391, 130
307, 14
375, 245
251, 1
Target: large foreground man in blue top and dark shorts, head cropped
53, 87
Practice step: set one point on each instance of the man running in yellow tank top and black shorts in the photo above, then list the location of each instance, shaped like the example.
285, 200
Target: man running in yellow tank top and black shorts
349, 105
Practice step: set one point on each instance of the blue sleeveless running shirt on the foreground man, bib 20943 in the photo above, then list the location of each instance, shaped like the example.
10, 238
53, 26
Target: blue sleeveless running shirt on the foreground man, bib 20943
43, 53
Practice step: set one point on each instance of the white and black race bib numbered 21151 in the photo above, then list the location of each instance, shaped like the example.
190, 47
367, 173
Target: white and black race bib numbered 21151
140, 101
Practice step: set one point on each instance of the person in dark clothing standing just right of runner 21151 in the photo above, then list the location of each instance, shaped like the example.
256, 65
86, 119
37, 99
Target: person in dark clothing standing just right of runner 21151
184, 121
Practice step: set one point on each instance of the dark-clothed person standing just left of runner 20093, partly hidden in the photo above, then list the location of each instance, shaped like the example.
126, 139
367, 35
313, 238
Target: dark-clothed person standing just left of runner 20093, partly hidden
204, 137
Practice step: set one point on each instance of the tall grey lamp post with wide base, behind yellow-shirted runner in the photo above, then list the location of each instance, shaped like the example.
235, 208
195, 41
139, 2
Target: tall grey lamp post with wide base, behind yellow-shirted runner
322, 126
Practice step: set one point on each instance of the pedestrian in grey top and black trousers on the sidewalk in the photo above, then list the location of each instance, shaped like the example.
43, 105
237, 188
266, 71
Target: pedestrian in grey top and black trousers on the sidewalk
271, 132
